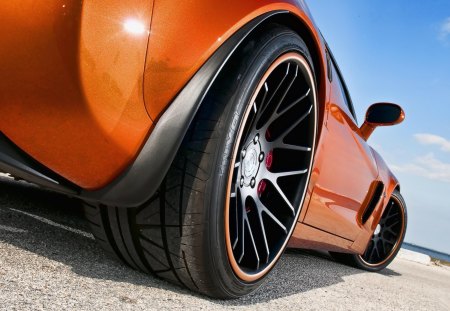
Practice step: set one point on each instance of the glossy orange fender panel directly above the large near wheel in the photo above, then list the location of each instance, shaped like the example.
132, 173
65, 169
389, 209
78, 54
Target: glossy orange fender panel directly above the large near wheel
178, 49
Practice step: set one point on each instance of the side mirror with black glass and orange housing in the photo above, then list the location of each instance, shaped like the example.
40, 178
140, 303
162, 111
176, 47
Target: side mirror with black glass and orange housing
381, 114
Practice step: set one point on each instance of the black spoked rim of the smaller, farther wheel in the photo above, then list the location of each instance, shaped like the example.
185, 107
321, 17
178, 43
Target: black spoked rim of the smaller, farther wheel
387, 236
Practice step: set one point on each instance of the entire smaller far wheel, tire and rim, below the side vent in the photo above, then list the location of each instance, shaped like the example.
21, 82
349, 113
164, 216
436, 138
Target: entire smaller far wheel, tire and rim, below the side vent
384, 245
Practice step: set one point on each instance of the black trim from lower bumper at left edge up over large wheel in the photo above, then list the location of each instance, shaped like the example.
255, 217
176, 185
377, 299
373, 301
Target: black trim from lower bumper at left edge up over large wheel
141, 179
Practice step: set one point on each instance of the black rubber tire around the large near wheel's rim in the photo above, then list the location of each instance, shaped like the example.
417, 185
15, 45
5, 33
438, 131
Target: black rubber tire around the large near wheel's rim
179, 234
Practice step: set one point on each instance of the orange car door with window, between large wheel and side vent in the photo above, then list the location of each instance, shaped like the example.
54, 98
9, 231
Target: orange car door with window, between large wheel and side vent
345, 166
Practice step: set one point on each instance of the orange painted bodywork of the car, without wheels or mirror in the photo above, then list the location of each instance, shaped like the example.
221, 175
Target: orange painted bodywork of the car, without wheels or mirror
83, 84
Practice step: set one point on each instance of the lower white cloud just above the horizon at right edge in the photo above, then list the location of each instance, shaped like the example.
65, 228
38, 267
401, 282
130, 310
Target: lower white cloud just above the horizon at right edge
427, 166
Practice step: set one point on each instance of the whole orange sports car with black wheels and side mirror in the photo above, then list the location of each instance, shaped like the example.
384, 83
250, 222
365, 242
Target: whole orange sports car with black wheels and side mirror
204, 136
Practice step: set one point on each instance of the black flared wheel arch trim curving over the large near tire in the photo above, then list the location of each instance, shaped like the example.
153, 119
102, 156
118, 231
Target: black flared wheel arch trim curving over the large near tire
141, 179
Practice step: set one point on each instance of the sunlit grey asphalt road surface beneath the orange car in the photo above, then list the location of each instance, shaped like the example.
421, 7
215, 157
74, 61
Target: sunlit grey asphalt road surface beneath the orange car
49, 261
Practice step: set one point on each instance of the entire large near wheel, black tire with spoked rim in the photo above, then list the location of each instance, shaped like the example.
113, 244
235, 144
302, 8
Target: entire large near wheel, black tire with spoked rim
187, 232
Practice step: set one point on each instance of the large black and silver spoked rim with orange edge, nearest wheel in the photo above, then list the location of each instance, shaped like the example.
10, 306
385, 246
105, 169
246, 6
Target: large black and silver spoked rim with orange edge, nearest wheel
271, 166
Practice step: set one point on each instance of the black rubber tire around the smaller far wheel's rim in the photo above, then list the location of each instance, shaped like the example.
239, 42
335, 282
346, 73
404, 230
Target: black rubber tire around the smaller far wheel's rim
381, 262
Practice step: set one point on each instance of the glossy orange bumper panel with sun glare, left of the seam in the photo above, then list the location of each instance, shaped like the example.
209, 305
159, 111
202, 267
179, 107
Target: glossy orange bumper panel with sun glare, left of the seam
71, 84
